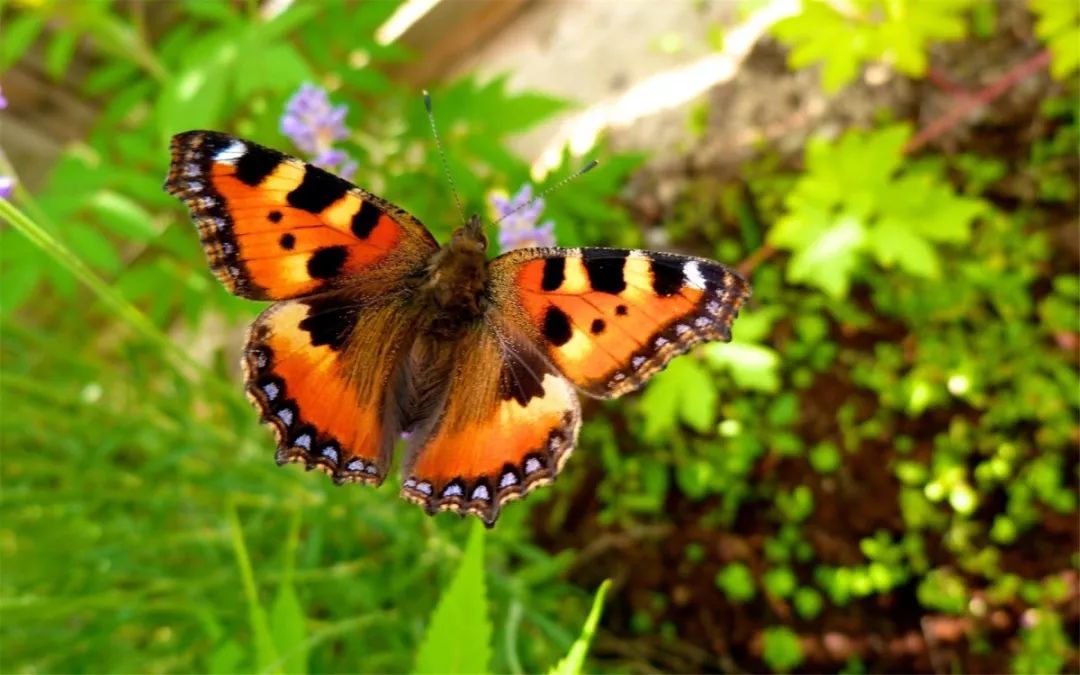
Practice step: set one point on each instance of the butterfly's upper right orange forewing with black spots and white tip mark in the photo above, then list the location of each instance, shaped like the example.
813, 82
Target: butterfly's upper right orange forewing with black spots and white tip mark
610, 319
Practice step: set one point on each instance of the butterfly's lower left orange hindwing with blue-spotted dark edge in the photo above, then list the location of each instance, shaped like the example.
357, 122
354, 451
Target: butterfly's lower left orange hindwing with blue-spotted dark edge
323, 387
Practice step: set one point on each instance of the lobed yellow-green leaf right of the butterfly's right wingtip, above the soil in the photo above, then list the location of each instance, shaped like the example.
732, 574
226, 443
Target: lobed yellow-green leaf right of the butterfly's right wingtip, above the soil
859, 199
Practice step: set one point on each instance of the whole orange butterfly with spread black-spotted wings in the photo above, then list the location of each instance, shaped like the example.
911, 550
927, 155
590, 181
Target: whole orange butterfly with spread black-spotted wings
376, 331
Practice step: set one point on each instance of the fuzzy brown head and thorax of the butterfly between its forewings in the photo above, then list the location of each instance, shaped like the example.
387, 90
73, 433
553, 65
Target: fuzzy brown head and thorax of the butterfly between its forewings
455, 288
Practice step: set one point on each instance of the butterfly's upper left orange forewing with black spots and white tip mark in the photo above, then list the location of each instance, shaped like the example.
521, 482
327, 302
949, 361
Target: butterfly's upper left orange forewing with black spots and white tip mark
277, 228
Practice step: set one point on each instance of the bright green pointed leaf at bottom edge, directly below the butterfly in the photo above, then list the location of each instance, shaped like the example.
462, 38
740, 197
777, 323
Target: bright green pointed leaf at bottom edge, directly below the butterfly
460, 636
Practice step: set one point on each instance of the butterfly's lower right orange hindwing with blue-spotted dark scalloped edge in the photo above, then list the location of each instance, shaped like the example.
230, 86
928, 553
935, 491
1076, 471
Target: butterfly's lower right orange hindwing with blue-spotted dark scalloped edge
508, 425
